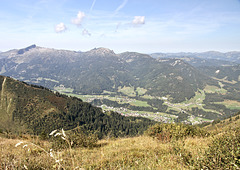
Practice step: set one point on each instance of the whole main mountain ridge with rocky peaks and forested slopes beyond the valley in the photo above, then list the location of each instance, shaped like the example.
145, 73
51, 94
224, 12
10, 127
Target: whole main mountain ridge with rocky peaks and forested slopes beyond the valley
101, 69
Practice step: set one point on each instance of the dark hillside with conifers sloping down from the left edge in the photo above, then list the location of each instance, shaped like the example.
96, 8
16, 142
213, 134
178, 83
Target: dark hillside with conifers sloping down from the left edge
37, 110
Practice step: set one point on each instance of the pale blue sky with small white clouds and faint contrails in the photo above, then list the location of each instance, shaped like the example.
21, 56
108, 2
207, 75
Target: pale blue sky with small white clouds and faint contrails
145, 26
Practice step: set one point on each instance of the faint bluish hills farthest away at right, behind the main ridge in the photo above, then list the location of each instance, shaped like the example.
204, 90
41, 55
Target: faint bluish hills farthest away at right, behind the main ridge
223, 67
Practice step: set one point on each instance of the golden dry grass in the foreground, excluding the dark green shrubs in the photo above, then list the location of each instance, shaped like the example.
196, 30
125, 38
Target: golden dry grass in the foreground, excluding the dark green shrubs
126, 153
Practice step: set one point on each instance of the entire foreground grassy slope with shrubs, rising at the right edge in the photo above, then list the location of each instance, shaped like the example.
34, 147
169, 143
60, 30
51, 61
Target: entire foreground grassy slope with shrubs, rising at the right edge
219, 150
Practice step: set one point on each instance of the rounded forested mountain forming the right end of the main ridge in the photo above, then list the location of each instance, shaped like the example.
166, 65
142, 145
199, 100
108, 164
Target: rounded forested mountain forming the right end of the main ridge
164, 77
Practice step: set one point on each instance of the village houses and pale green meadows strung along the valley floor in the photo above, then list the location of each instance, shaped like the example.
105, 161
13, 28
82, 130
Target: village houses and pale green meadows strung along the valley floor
156, 116
